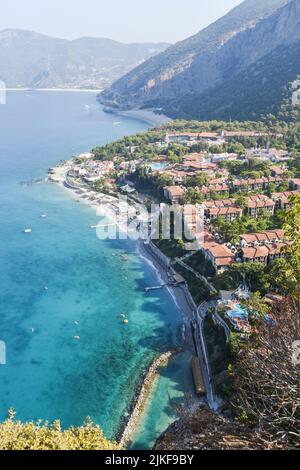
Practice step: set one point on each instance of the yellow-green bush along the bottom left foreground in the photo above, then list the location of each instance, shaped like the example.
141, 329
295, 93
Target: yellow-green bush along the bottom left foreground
15, 435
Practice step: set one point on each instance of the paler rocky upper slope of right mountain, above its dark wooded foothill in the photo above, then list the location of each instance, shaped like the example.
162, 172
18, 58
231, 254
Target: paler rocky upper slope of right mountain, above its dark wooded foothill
241, 38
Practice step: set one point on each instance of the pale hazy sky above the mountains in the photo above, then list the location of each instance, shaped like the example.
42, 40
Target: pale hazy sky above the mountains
122, 20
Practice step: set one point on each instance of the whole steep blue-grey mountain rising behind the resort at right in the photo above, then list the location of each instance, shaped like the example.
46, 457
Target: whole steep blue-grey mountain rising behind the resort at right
198, 68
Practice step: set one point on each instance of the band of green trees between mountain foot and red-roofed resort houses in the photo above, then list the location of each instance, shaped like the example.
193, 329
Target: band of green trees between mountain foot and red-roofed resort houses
143, 146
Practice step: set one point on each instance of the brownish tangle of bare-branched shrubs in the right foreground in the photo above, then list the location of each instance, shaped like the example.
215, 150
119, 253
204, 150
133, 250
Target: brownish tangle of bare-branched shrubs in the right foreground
266, 377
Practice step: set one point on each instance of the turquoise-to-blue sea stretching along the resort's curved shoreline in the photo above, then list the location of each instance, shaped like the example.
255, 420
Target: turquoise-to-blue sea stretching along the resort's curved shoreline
60, 281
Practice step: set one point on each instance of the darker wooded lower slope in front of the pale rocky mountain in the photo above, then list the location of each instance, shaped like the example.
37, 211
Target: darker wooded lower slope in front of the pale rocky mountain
265, 90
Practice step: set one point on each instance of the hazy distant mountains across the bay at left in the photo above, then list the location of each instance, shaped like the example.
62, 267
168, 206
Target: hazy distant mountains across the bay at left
28, 59
